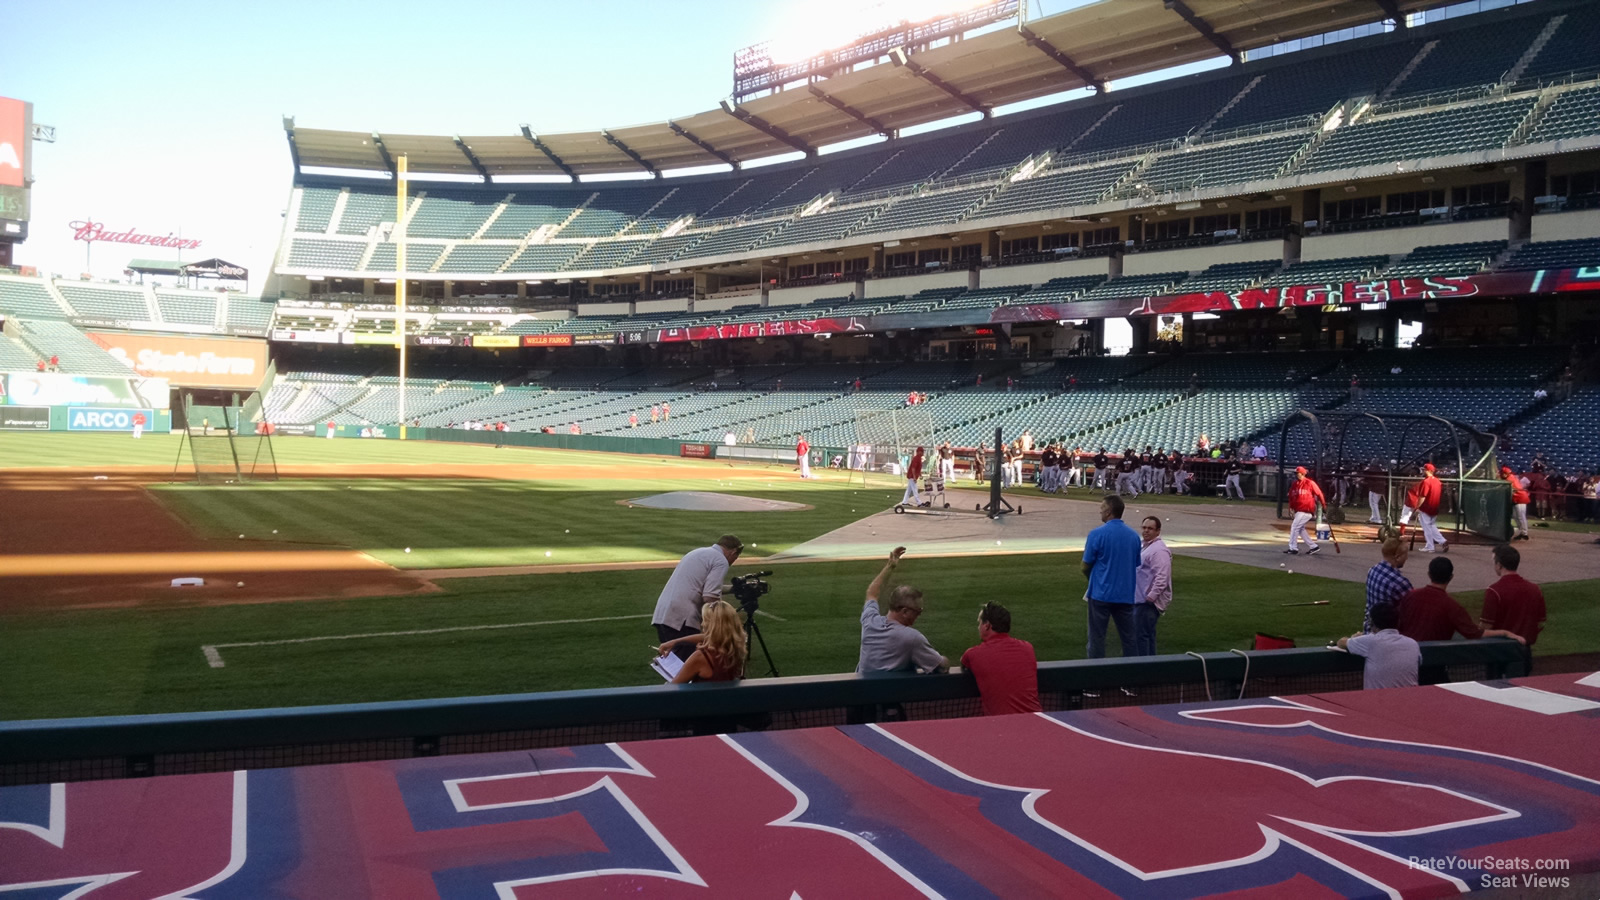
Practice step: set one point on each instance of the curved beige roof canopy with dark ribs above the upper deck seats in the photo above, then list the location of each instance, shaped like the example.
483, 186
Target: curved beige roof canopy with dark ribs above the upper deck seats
1084, 47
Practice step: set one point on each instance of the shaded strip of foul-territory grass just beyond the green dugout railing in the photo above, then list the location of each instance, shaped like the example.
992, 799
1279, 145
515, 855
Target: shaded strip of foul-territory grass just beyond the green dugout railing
122, 662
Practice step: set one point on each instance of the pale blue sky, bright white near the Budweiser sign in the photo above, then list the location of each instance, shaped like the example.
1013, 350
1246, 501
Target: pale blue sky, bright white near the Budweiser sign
170, 116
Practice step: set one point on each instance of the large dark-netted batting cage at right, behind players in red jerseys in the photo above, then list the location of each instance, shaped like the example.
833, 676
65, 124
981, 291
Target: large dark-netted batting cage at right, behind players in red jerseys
1370, 460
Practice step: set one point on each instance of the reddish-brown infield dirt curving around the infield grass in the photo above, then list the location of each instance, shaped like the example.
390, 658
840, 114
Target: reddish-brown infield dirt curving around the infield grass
97, 539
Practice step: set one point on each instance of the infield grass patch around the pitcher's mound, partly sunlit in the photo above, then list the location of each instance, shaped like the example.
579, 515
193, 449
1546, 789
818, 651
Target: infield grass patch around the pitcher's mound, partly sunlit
458, 523
